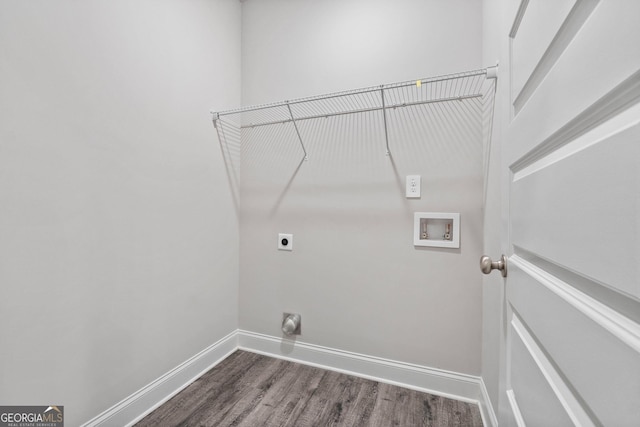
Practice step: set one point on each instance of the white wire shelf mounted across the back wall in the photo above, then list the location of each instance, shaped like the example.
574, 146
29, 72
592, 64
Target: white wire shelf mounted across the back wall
464, 93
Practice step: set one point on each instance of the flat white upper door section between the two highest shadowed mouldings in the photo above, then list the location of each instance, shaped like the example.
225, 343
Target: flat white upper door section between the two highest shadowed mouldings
603, 56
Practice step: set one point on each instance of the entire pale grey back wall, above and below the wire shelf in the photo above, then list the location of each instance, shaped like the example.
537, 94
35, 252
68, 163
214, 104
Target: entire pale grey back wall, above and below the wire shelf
354, 274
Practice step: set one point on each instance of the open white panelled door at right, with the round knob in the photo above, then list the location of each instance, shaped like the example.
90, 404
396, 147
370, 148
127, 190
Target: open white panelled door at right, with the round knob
572, 163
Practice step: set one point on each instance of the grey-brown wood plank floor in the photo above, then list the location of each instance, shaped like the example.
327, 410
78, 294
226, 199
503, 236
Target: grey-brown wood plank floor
249, 390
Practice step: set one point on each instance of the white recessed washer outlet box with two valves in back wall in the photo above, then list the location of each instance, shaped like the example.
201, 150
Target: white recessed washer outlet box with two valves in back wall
436, 229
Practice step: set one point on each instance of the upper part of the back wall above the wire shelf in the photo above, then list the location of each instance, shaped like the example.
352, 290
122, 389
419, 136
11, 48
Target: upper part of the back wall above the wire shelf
297, 48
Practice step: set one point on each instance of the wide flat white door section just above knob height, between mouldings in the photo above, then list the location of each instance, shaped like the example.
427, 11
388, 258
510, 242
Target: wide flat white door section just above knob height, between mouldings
578, 211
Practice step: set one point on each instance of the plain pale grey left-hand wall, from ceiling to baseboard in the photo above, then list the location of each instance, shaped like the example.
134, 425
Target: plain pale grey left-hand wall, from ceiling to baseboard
119, 247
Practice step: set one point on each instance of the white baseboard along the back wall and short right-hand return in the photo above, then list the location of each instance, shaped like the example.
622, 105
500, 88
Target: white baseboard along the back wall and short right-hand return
462, 387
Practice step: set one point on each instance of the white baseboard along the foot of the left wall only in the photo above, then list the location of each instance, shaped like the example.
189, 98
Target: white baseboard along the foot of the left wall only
139, 404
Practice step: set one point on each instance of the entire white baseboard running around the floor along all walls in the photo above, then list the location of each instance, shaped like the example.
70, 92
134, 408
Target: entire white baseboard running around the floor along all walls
453, 385
